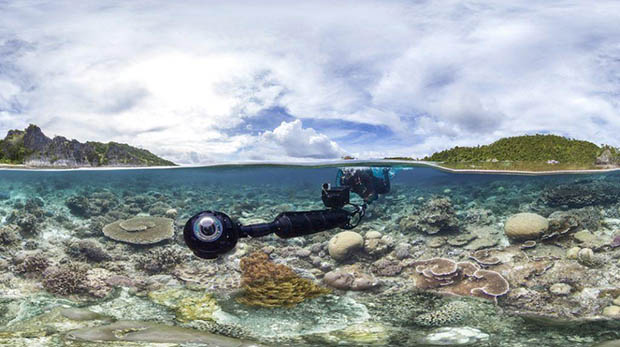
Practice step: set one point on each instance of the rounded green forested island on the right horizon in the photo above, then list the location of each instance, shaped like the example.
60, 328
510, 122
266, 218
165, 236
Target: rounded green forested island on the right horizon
530, 153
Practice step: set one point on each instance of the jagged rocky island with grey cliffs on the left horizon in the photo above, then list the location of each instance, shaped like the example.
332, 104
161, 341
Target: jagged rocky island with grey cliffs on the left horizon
31, 148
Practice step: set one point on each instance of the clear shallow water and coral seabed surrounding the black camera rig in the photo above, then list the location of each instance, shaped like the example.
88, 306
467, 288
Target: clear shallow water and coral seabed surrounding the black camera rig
64, 282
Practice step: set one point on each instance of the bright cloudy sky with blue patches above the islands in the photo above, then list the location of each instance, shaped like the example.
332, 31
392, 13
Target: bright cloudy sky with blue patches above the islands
200, 82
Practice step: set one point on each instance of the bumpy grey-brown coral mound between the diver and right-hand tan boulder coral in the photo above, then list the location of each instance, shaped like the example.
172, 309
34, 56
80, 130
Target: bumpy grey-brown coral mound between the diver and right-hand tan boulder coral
437, 215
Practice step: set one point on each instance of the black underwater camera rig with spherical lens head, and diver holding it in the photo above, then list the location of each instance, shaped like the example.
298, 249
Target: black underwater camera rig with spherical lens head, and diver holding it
211, 233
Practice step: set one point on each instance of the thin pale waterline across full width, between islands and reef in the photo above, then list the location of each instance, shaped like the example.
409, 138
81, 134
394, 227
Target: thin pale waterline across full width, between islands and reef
317, 164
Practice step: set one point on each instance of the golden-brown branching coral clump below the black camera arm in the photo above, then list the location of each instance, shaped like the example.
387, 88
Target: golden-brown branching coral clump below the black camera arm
267, 284
